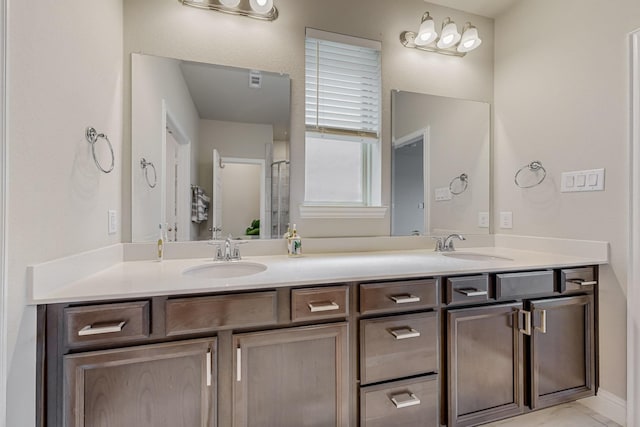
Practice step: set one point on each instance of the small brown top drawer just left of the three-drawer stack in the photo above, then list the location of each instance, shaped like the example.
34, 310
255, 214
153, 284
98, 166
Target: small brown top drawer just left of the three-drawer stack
319, 303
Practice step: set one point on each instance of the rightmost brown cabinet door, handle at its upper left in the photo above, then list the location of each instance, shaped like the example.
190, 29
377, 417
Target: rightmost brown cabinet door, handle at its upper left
562, 350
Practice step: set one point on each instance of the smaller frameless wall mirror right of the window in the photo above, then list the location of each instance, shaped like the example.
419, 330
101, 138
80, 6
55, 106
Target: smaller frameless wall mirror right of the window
440, 165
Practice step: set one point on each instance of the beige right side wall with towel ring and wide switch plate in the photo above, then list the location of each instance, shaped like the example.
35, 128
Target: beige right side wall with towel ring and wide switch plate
562, 97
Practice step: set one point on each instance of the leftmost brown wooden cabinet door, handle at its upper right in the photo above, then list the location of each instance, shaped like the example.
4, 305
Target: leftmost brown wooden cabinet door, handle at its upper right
163, 385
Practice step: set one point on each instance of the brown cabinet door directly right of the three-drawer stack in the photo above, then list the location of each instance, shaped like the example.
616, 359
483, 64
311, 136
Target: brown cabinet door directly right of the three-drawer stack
485, 372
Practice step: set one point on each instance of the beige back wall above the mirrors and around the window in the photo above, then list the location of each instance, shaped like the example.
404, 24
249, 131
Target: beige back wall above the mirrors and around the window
166, 28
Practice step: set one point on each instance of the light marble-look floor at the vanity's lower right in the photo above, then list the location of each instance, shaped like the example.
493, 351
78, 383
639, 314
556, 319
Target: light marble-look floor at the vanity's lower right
568, 415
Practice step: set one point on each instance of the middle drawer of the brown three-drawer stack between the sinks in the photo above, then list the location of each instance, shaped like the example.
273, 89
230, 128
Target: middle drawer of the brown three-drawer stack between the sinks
398, 346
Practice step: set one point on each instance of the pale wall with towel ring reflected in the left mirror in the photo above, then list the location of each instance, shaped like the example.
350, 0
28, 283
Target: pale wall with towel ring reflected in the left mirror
155, 81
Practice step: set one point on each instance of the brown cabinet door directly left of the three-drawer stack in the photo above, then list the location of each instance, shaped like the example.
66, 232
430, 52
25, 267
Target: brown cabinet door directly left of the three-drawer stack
294, 377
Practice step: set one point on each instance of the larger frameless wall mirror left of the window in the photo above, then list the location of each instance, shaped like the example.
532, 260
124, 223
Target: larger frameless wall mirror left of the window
210, 150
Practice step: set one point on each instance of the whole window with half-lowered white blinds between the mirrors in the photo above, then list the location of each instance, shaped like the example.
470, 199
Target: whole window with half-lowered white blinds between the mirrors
342, 117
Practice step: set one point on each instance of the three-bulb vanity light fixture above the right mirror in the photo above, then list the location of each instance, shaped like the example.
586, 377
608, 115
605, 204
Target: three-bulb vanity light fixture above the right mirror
450, 41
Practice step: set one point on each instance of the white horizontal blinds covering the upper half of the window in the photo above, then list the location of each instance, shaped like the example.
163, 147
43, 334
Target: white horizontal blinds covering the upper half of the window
342, 84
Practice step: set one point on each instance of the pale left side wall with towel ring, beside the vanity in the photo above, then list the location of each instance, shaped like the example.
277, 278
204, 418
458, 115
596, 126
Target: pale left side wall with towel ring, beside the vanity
65, 72
